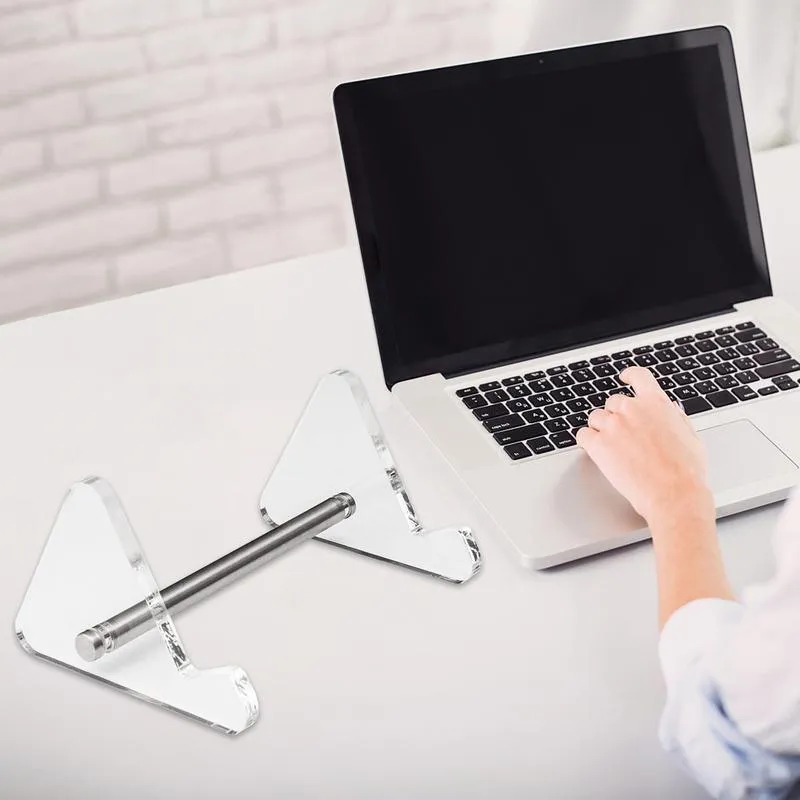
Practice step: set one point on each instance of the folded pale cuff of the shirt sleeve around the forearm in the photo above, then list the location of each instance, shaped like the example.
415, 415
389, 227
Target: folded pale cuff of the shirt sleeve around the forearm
691, 632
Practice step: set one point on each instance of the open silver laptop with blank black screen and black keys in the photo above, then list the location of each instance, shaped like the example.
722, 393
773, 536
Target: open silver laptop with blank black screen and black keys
531, 226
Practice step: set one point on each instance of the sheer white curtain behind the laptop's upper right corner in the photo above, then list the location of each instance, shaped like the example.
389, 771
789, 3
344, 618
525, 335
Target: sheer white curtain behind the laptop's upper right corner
766, 36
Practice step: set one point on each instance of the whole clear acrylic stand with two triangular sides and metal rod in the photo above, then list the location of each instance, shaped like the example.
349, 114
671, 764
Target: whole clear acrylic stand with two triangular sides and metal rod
93, 606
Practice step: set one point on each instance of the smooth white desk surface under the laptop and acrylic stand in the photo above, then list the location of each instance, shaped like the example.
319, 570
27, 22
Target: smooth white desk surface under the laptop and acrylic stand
374, 682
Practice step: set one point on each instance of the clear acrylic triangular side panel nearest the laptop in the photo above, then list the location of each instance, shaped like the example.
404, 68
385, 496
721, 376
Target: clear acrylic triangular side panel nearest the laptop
338, 446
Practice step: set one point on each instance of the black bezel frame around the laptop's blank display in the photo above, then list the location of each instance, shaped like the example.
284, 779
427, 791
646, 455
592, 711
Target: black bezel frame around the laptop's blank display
477, 359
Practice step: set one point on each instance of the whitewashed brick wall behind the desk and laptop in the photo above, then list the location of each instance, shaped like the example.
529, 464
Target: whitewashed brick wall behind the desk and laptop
148, 142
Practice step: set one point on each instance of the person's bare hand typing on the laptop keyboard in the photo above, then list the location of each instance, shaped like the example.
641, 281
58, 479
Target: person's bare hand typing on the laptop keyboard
648, 450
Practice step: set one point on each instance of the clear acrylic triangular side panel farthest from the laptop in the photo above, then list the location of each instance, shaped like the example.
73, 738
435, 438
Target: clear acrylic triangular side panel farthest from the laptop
92, 567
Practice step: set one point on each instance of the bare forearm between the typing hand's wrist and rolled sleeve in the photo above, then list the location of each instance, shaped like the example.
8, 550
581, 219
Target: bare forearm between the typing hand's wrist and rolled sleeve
688, 558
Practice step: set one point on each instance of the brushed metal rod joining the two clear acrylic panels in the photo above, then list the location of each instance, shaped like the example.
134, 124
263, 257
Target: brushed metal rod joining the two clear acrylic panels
122, 628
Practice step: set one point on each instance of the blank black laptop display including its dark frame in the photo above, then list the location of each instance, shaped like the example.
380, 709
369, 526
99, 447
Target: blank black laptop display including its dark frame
523, 206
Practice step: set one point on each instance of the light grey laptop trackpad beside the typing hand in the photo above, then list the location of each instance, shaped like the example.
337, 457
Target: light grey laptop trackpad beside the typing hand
739, 454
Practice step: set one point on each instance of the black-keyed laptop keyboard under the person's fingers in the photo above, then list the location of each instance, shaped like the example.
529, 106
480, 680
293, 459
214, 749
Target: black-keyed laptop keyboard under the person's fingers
540, 412
